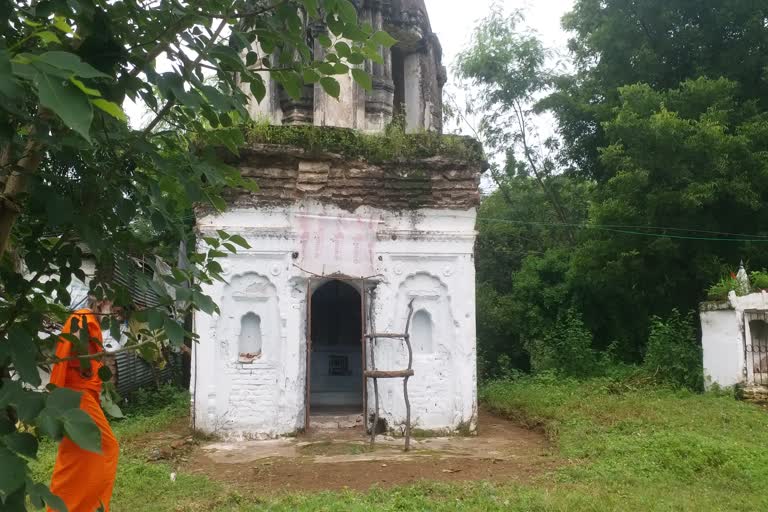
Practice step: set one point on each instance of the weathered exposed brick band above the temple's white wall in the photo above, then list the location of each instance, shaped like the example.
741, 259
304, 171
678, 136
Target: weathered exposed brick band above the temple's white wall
287, 174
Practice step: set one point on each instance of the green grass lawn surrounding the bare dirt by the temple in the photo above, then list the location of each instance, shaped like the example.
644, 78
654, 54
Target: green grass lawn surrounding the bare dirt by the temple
624, 448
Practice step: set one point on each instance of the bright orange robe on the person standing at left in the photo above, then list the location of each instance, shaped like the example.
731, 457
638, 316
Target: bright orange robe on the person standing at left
83, 479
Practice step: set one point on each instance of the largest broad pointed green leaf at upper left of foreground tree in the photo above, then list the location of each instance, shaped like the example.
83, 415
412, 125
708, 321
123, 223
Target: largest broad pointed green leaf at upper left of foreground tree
67, 101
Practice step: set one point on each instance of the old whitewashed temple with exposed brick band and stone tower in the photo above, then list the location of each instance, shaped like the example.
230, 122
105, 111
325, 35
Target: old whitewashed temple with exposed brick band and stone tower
344, 244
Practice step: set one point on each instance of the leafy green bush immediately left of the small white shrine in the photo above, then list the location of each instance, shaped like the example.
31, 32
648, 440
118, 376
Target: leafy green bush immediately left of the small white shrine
673, 354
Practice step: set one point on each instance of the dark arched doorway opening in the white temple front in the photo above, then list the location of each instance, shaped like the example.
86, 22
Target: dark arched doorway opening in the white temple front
335, 358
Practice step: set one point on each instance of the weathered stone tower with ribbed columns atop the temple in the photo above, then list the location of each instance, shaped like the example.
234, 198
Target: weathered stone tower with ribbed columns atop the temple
407, 85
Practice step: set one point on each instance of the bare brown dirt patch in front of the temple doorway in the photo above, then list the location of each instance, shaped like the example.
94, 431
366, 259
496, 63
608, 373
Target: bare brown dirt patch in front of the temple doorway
502, 451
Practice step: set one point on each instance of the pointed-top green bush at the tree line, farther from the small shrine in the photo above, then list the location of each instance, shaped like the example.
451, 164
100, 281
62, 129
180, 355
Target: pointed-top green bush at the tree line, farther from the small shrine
566, 348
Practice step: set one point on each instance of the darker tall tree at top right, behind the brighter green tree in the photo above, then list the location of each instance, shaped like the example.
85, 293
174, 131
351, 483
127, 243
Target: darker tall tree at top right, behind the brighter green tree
658, 42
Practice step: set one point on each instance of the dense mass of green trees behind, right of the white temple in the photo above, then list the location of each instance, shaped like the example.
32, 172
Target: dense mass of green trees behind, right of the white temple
654, 187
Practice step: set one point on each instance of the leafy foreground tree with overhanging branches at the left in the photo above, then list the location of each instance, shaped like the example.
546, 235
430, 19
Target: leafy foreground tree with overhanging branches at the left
73, 172
